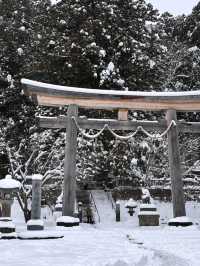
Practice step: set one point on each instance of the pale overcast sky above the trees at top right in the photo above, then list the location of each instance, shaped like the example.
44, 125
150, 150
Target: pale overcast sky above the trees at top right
176, 7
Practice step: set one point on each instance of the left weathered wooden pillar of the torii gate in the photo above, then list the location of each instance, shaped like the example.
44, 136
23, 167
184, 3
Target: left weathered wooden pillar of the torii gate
69, 192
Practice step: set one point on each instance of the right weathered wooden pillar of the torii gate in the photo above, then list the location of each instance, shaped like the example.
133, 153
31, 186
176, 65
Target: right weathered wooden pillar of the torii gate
175, 167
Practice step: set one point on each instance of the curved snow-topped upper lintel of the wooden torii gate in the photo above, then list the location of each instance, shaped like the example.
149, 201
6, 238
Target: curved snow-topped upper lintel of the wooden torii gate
56, 95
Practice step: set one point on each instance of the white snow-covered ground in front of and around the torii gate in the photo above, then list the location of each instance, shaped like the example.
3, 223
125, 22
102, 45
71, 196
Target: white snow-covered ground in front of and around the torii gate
109, 244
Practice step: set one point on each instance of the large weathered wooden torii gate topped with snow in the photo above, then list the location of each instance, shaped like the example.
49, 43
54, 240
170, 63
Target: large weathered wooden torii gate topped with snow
171, 102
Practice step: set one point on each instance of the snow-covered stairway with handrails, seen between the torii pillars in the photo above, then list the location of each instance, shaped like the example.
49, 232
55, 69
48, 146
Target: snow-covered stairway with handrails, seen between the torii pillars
104, 206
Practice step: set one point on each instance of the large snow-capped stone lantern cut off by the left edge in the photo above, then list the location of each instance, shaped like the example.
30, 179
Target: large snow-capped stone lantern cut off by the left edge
8, 188
